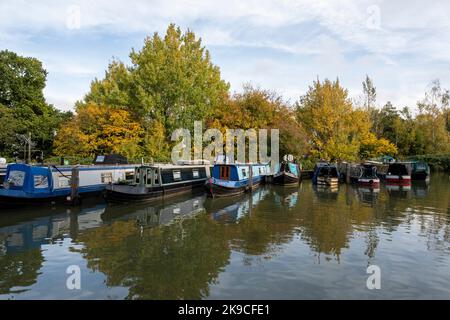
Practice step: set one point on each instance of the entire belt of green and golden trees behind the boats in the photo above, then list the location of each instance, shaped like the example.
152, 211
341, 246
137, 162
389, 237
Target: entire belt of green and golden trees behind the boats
171, 82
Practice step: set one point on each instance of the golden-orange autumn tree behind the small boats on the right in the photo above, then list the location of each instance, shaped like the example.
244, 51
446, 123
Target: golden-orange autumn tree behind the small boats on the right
335, 129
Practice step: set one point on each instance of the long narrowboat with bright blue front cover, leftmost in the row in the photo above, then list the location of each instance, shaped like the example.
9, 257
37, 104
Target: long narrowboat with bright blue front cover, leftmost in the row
27, 184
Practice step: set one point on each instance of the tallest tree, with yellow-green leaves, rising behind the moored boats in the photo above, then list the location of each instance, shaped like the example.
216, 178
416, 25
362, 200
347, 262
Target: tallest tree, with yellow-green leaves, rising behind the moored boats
170, 83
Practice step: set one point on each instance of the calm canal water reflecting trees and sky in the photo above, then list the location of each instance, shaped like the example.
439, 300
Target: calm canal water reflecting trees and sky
277, 243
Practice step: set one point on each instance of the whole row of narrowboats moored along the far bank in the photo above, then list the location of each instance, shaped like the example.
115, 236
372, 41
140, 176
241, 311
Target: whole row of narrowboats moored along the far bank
123, 182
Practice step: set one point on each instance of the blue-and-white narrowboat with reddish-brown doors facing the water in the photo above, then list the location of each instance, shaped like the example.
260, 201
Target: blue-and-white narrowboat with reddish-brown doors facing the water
234, 179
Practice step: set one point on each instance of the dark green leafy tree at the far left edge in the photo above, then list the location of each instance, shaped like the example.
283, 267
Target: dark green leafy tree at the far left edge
23, 108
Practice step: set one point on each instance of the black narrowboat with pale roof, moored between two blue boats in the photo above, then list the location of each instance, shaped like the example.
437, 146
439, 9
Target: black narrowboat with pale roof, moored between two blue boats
157, 181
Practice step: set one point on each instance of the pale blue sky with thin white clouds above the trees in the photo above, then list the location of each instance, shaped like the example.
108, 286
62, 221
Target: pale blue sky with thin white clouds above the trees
279, 45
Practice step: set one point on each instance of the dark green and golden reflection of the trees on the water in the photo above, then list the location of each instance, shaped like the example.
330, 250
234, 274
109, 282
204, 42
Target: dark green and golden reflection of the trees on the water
177, 249
